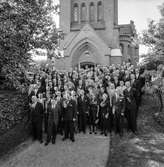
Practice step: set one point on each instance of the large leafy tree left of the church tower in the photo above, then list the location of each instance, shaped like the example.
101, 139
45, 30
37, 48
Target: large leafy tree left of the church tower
24, 25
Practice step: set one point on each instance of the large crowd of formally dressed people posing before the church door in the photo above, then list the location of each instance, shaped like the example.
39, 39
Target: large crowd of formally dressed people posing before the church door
102, 99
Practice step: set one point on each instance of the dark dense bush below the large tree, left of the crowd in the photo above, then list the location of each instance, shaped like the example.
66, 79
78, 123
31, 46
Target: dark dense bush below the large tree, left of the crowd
13, 108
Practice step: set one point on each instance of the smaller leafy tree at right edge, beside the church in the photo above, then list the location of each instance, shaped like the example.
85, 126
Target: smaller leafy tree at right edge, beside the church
153, 37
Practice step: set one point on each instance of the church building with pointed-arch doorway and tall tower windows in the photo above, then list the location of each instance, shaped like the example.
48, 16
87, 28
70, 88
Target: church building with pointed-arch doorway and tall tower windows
92, 35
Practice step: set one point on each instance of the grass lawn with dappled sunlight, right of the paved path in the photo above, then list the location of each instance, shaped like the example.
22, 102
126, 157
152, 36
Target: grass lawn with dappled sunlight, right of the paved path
144, 150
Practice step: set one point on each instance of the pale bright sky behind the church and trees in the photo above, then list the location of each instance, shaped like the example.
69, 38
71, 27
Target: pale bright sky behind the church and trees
140, 11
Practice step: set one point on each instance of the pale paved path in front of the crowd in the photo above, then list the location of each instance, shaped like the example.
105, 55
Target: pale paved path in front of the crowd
87, 151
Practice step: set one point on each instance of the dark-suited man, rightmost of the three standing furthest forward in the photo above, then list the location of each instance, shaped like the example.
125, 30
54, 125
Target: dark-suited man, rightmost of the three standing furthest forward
69, 115
